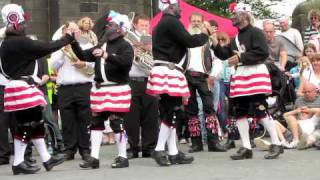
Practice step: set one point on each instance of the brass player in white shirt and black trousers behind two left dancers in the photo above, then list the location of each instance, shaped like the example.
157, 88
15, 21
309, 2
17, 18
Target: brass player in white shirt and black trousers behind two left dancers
74, 86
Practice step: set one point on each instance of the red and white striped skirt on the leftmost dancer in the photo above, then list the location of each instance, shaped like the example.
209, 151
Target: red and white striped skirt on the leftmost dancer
18, 95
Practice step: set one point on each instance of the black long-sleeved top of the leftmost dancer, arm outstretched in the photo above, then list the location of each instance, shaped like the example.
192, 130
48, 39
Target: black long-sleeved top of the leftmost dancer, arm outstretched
19, 53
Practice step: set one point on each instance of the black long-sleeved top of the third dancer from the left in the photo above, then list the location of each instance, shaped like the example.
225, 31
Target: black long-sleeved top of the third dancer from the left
170, 39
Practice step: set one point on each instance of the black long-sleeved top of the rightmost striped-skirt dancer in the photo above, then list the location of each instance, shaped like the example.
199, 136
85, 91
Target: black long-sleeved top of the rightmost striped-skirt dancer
254, 41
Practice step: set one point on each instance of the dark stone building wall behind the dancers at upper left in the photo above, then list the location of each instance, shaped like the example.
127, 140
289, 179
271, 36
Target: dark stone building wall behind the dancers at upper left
47, 15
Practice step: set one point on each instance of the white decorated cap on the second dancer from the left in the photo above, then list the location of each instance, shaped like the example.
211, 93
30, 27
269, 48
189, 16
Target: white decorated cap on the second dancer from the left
120, 19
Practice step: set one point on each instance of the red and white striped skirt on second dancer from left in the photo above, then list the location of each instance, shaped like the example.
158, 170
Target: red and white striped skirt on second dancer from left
110, 98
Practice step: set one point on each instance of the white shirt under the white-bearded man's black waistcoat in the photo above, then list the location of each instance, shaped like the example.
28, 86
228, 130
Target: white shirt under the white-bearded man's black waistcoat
195, 59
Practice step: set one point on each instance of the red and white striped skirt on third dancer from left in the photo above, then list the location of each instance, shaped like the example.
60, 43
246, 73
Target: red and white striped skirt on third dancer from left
163, 80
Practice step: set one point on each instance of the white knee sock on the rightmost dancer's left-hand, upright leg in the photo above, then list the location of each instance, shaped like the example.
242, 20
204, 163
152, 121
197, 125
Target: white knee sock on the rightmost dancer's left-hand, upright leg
243, 127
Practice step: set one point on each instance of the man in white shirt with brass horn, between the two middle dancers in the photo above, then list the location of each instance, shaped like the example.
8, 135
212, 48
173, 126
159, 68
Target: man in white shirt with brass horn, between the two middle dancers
143, 115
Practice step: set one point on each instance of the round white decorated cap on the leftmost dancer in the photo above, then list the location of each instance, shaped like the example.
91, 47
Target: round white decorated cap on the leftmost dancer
12, 14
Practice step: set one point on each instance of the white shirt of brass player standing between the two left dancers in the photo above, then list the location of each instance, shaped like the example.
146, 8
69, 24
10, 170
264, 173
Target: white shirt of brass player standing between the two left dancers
67, 73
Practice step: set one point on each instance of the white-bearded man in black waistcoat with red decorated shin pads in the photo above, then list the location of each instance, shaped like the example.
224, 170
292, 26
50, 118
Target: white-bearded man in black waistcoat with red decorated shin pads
198, 70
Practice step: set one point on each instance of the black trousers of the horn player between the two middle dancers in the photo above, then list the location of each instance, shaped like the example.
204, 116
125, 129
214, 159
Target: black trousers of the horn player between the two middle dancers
144, 117
